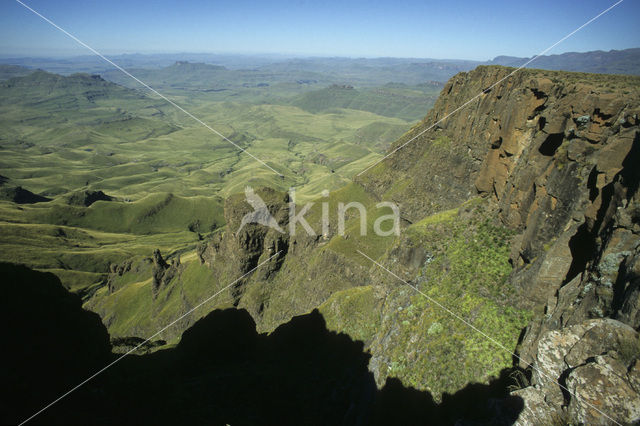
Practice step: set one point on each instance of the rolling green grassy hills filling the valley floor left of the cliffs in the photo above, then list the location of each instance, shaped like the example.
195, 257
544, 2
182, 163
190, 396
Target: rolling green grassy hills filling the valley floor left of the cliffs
162, 176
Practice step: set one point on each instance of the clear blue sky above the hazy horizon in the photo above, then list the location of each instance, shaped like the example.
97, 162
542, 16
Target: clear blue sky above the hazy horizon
399, 28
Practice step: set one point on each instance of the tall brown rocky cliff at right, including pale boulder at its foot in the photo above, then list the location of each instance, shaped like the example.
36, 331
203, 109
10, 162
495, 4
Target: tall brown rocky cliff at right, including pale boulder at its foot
558, 155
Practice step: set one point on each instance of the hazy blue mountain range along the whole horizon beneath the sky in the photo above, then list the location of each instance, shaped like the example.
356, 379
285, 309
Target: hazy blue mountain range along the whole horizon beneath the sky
355, 71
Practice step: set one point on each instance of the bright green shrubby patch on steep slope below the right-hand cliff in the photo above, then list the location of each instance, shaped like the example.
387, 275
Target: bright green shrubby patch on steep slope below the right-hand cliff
465, 271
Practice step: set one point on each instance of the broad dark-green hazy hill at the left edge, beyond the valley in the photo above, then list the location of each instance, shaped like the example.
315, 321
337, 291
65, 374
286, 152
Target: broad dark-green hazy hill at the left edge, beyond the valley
74, 110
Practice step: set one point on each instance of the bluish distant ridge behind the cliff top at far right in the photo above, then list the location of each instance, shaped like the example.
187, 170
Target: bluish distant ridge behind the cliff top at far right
612, 62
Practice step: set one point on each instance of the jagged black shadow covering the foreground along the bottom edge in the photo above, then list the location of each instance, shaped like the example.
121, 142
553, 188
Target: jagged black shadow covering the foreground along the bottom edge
222, 372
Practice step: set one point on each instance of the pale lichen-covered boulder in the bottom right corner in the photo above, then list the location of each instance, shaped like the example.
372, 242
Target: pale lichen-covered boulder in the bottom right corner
586, 373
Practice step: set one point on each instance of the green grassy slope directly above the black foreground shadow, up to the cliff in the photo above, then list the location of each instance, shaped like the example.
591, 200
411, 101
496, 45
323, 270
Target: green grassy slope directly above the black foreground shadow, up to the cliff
410, 337
